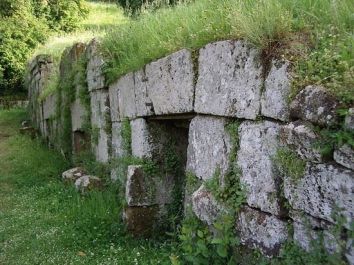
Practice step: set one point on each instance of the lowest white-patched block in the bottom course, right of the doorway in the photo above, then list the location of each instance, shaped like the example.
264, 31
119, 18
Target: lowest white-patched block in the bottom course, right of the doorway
262, 231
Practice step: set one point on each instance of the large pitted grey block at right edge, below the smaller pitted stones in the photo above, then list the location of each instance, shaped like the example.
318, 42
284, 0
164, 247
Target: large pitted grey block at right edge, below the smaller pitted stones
323, 191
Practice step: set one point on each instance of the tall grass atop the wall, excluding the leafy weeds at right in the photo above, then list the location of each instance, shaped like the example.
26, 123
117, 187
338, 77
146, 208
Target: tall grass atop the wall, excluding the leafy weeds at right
261, 22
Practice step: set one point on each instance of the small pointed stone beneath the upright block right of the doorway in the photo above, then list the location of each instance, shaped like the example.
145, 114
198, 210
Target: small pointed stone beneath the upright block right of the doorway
205, 206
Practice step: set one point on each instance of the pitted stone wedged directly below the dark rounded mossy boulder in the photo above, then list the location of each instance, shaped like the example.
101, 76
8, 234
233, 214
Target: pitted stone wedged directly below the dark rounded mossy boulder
302, 137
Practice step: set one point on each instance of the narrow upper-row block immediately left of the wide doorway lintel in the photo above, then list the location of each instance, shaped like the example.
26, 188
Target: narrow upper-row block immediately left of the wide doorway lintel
143, 103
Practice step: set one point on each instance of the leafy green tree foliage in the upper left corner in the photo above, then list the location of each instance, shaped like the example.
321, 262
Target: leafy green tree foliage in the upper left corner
25, 24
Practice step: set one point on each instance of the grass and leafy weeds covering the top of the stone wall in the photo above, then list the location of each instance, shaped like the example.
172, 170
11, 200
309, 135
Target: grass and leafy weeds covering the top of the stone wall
302, 30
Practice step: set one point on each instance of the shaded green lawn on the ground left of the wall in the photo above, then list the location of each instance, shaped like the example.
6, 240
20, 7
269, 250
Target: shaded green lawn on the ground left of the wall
43, 221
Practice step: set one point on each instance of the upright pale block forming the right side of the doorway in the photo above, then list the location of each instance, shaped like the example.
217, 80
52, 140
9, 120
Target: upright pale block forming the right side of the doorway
209, 147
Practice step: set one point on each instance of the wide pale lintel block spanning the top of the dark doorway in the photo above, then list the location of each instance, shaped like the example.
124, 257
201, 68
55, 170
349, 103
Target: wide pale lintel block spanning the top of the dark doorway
170, 83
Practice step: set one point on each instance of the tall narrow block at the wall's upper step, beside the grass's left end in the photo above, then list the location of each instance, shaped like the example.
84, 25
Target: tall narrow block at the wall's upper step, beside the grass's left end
94, 74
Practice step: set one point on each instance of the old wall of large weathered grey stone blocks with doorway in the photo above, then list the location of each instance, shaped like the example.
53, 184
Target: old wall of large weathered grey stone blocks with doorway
184, 104
